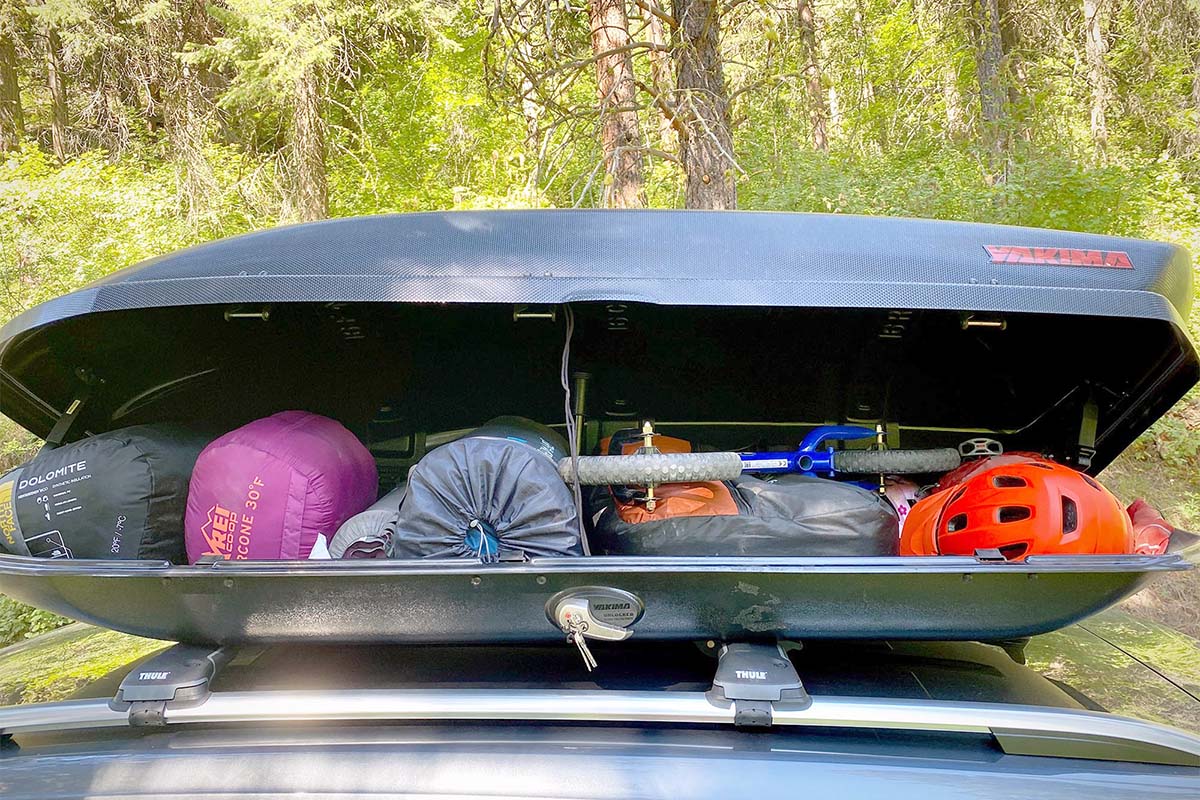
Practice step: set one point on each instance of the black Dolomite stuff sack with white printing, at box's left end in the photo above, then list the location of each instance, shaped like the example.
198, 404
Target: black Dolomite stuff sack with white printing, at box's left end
115, 496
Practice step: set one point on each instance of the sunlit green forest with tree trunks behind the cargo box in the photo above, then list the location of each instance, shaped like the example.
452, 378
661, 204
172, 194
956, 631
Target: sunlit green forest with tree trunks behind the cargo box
133, 129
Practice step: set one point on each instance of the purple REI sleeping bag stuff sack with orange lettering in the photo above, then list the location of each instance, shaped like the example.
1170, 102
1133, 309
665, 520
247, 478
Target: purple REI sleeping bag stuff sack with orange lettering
271, 489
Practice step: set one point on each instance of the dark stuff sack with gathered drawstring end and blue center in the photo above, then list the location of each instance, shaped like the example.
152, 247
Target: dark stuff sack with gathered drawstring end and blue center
491, 496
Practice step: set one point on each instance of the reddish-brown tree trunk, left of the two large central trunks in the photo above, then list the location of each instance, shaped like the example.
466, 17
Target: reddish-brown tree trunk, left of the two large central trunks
620, 137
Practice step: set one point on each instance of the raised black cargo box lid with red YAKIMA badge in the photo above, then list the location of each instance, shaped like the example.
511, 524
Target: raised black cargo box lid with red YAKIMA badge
928, 326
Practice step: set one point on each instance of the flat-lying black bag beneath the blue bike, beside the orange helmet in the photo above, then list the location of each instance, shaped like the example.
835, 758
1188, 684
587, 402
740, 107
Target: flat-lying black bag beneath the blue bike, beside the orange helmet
790, 515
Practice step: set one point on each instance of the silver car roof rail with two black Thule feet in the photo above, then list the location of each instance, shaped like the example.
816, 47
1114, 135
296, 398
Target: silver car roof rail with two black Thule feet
754, 687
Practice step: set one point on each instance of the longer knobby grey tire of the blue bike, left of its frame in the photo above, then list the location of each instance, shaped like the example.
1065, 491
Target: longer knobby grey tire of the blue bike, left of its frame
661, 468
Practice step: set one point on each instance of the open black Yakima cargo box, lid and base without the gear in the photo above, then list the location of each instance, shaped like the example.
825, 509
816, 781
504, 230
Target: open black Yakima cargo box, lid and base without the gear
728, 328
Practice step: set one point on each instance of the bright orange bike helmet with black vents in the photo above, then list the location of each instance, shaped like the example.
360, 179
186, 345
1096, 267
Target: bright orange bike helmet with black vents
1022, 506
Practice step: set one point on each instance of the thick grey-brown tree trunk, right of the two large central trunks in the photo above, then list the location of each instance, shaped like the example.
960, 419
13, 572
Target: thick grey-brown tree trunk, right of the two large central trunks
706, 142
